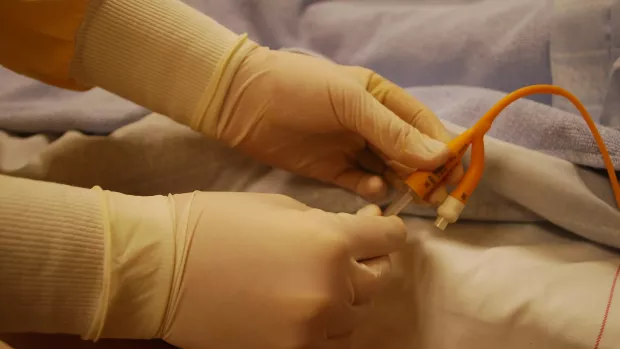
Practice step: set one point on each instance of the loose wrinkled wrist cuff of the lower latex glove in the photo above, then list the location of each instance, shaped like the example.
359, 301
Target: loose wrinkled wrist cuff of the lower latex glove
138, 266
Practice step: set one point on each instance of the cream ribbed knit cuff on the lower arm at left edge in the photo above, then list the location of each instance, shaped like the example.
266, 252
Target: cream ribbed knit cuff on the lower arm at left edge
51, 256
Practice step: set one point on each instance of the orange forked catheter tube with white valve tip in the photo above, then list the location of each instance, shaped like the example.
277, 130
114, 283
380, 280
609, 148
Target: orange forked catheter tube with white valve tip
422, 183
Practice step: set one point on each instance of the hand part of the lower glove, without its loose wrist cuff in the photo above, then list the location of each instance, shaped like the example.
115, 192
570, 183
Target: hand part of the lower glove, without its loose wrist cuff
265, 271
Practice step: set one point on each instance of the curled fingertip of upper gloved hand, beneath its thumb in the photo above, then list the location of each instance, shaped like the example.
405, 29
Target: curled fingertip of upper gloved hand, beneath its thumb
369, 186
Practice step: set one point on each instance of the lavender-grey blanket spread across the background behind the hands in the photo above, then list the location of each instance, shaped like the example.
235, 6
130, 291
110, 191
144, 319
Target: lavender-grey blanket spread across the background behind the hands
474, 50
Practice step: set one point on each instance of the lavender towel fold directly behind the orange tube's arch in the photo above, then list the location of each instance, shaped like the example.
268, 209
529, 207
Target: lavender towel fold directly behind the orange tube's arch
526, 123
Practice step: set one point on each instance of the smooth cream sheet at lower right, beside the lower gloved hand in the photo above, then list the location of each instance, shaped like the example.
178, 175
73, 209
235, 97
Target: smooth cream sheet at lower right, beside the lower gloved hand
478, 286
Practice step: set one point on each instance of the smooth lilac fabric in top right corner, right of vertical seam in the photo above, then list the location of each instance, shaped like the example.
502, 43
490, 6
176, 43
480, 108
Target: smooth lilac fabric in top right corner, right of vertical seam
585, 43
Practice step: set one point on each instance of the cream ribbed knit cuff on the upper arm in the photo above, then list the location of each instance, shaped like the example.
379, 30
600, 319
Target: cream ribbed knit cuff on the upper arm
161, 54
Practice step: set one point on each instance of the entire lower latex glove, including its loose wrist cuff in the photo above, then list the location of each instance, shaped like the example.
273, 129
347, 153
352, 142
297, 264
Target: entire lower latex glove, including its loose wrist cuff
238, 270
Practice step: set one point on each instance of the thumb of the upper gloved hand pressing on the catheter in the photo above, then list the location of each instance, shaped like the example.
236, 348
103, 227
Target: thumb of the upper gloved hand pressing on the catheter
395, 138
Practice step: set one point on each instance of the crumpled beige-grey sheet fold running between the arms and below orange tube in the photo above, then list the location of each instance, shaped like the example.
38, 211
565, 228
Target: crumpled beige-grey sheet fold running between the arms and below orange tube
143, 159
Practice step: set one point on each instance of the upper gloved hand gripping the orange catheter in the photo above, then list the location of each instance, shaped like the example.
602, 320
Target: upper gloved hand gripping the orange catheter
334, 123
